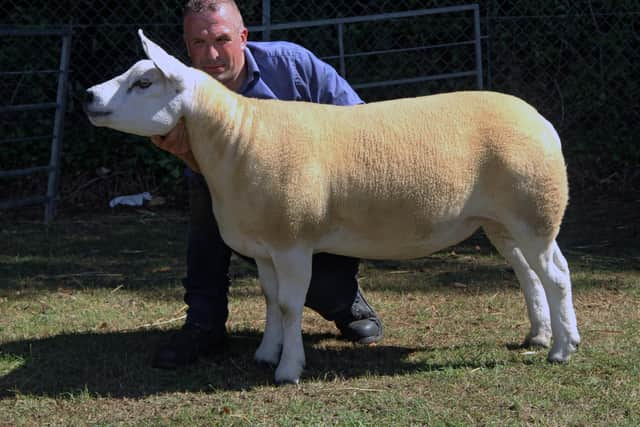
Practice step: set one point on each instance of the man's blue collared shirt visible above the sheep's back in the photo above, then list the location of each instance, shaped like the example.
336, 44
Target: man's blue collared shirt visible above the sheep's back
287, 71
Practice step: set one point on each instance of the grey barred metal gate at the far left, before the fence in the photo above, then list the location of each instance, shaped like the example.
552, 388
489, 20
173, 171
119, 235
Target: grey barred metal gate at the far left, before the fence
58, 106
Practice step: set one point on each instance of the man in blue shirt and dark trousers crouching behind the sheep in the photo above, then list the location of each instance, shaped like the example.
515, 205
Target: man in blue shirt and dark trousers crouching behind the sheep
216, 41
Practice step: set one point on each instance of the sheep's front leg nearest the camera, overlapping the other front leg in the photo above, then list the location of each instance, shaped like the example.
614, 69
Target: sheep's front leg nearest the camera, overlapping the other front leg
293, 269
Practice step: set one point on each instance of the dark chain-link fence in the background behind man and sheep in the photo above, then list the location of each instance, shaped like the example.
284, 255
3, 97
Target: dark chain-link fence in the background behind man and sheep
578, 62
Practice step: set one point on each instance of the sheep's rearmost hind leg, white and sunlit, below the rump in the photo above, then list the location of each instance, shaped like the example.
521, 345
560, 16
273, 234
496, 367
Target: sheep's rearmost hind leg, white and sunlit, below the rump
548, 262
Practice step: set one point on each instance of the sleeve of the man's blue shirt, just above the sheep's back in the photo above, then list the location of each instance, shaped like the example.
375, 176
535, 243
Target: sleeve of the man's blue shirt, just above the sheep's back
319, 82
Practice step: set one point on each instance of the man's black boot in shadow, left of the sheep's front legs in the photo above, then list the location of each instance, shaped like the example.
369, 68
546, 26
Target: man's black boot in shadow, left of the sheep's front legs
187, 345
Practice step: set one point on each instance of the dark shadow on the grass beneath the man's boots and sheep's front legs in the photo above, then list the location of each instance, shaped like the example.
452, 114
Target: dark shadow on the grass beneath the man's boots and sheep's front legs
118, 365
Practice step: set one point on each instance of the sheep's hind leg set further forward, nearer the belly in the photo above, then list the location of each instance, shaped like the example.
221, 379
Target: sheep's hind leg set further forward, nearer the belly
534, 295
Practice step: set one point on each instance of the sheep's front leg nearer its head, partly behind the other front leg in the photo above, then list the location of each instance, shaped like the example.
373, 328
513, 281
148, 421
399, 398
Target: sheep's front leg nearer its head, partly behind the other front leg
269, 349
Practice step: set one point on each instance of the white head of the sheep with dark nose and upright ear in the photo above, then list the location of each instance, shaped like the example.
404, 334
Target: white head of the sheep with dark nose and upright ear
148, 99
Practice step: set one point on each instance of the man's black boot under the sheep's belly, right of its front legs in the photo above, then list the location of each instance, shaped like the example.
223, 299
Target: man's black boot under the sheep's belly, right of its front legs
360, 323
